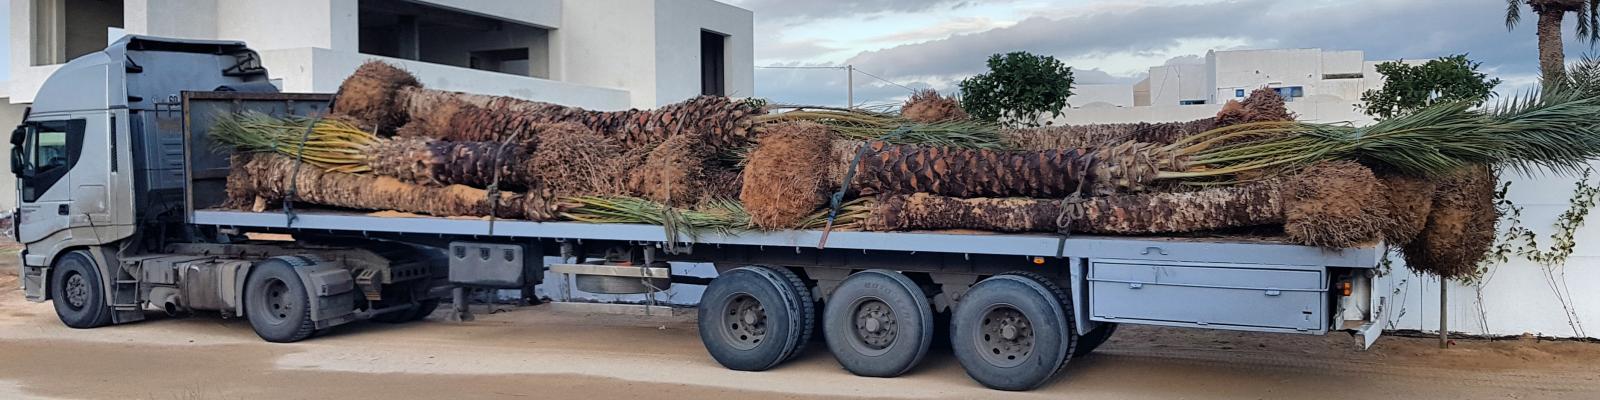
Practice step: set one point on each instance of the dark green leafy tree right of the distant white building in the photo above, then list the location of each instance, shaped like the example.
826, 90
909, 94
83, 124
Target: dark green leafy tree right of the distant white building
1409, 89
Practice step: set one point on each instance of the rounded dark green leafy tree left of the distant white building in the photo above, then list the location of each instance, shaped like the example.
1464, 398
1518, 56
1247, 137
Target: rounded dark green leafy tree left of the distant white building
1018, 90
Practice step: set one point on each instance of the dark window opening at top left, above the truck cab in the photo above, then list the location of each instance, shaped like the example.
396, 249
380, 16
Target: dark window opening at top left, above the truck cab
66, 30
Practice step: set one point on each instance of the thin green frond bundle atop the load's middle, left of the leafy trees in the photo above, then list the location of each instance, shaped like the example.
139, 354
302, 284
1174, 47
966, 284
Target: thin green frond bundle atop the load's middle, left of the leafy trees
863, 126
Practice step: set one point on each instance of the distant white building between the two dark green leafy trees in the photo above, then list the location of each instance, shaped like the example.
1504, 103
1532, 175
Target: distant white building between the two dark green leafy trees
1319, 86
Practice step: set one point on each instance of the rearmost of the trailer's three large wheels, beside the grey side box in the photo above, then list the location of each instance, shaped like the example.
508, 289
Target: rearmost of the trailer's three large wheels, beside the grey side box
1012, 332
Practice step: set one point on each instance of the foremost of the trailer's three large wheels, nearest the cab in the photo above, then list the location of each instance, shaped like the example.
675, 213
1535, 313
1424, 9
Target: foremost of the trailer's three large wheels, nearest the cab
767, 321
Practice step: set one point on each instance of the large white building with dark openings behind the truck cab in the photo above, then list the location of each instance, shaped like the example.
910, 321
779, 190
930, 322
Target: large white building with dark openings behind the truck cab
604, 55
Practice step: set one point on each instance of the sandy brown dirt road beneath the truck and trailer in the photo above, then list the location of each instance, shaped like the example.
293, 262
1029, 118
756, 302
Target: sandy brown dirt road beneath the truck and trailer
540, 354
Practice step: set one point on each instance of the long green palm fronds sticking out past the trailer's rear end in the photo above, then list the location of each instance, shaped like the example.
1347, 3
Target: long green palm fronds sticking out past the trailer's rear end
1553, 130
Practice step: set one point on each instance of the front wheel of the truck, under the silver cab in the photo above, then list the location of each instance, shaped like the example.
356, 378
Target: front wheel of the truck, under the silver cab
78, 292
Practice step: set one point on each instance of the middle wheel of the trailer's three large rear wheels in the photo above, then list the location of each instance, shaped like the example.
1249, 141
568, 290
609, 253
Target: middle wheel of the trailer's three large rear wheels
879, 324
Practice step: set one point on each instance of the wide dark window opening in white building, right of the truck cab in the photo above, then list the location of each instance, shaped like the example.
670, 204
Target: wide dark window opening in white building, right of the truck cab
442, 36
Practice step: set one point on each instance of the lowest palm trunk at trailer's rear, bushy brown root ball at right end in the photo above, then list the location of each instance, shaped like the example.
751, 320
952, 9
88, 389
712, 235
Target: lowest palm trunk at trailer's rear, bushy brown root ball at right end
1318, 202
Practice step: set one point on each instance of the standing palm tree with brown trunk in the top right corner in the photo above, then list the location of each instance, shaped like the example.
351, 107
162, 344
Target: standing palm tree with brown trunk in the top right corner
1551, 14
